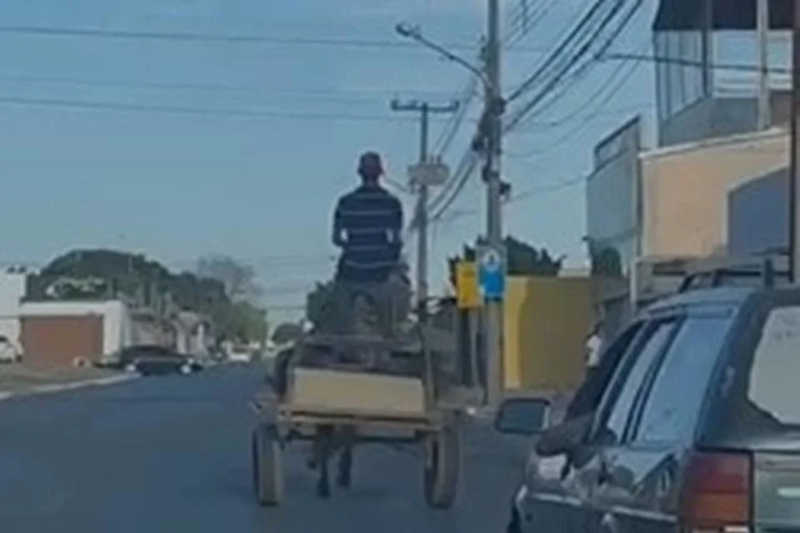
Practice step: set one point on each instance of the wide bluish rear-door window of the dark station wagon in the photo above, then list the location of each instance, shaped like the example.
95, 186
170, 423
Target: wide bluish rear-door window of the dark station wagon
670, 412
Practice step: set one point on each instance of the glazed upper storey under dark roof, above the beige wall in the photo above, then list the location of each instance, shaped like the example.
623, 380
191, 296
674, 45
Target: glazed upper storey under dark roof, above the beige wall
693, 41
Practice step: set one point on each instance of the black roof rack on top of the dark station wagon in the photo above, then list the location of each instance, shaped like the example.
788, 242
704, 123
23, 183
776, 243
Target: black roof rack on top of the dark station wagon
726, 272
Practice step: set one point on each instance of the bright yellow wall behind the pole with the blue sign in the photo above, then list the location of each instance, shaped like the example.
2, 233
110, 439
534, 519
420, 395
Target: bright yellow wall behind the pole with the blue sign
546, 322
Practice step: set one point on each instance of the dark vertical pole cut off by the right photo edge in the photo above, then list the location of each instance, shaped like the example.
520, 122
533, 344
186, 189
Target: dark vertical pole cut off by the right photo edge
794, 178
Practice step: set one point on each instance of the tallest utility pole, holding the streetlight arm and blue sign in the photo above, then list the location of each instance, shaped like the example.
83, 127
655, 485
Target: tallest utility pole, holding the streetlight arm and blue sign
493, 341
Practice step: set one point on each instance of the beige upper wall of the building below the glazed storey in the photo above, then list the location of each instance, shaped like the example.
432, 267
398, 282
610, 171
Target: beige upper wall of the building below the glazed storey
685, 190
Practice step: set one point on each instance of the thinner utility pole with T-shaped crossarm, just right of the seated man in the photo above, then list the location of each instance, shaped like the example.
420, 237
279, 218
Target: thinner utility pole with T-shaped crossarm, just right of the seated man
425, 109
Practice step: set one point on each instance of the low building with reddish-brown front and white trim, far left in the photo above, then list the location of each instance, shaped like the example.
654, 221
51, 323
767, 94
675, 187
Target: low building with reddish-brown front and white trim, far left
55, 334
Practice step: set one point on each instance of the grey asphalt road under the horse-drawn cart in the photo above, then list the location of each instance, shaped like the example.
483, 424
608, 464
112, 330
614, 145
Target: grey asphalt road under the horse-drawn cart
172, 454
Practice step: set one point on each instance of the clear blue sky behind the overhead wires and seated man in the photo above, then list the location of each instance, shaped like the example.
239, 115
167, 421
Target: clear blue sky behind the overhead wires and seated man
177, 186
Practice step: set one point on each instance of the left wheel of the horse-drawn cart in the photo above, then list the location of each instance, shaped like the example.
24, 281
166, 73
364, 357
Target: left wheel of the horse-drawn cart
267, 471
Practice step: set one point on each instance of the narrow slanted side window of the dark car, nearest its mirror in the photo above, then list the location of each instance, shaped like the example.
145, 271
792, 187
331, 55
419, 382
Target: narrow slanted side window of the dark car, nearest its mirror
630, 379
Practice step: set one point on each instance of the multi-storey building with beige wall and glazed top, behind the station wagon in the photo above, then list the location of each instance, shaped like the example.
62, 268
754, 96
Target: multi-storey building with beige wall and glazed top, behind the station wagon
700, 192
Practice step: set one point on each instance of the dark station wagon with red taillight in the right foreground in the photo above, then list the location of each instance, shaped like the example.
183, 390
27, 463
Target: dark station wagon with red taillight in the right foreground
698, 429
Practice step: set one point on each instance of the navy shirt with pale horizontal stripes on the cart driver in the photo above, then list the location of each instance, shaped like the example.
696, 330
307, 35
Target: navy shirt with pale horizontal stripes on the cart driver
370, 220
